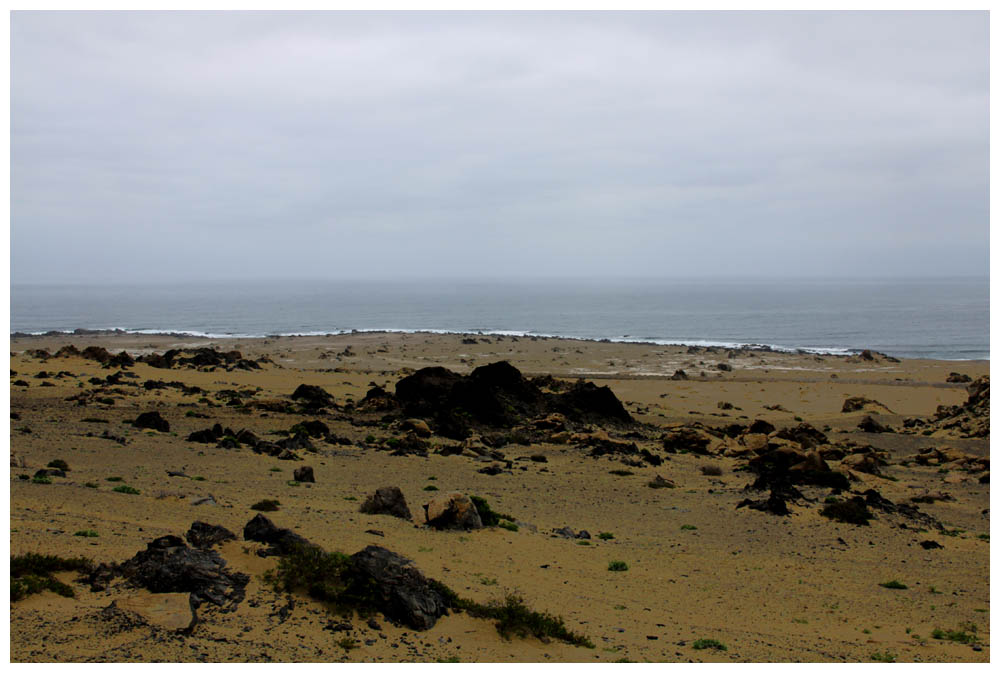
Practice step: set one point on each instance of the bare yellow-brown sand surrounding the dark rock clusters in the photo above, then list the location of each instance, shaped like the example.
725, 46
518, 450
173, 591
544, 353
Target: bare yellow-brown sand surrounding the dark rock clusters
771, 588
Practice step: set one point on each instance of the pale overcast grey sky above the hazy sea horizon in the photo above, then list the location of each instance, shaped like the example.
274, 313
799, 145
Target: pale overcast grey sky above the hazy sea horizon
187, 146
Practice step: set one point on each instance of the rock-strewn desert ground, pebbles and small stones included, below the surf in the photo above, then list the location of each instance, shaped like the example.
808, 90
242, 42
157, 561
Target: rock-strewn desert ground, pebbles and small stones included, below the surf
765, 584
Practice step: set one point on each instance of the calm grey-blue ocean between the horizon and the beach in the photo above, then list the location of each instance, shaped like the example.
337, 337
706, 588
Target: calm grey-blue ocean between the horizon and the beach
914, 318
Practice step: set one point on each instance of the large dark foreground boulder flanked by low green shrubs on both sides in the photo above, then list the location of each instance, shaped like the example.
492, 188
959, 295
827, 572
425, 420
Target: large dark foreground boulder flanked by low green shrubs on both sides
399, 590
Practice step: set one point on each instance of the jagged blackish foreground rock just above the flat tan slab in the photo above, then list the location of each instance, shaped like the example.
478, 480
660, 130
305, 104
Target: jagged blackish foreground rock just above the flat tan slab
168, 565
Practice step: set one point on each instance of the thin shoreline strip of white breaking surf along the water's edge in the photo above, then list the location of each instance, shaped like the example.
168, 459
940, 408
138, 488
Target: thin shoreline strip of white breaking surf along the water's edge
704, 344
